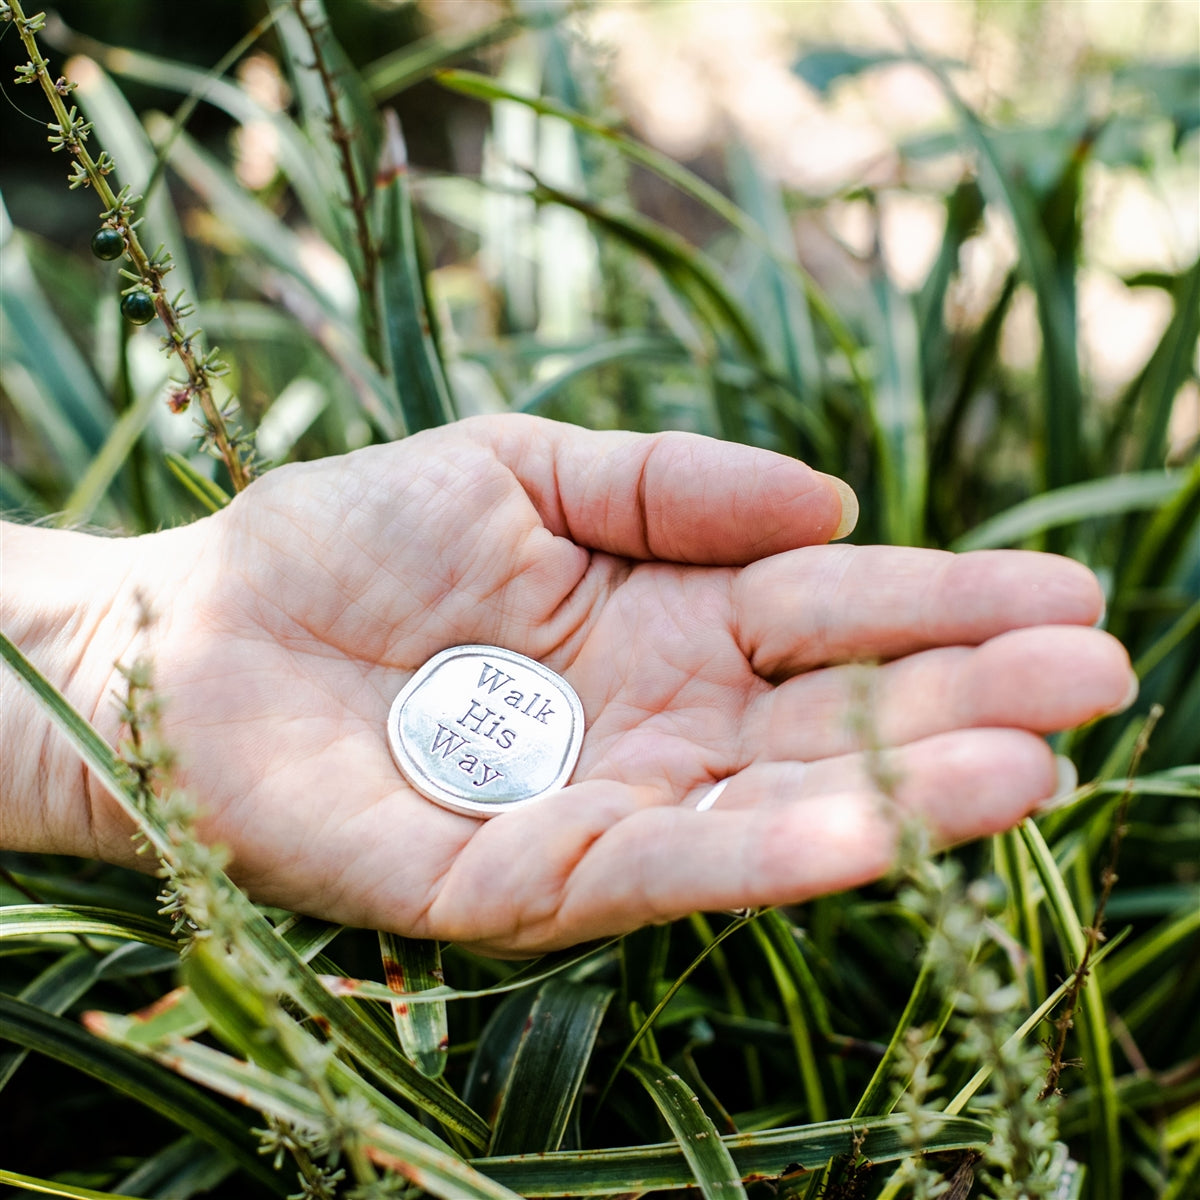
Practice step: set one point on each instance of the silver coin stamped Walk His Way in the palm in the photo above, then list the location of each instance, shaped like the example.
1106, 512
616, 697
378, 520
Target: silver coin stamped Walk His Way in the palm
482, 730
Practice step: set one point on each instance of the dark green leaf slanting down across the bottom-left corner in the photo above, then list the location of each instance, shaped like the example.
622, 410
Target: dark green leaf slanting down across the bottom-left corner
147, 1083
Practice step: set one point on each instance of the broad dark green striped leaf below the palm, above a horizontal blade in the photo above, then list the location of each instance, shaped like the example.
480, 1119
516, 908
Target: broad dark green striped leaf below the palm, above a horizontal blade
549, 1067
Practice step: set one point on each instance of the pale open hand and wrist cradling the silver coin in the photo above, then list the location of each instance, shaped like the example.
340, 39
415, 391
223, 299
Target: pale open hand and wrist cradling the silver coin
681, 585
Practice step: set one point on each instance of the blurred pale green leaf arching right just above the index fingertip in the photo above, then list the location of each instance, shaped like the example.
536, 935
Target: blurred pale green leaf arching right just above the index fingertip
1069, 506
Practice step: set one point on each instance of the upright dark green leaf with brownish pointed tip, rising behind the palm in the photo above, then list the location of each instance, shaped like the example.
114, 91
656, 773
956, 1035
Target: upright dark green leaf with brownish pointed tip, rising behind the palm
416, 367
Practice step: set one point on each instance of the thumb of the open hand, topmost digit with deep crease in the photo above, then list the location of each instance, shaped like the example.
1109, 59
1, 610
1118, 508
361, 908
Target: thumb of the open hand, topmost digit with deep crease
676, 497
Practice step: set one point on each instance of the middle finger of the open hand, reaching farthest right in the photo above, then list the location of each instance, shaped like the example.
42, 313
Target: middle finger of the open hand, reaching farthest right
1043, 680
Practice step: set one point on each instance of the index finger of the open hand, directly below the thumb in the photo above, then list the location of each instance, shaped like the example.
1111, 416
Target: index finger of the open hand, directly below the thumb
833, 604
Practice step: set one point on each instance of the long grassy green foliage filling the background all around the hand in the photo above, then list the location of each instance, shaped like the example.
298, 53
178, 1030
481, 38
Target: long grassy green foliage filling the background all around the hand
532, 253
